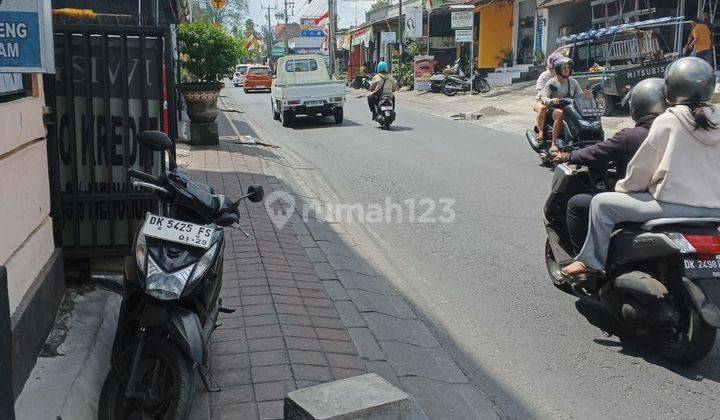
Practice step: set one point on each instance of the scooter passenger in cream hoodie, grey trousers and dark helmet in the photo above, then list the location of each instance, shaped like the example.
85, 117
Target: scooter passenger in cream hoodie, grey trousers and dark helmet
674, 172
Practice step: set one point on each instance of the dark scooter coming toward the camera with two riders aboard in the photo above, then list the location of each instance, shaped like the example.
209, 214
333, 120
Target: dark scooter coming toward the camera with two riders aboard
581, 123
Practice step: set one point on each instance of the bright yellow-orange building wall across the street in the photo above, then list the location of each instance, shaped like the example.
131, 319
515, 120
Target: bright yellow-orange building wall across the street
495, 33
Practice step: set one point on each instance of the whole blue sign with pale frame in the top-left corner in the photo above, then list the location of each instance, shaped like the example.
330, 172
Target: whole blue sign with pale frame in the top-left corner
26, 37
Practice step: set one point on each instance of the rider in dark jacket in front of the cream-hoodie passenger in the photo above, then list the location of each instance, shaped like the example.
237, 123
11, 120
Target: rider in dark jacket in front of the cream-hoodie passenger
647, 101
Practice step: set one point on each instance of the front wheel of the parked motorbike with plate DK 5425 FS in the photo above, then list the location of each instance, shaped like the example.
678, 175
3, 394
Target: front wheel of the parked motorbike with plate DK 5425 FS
164, 379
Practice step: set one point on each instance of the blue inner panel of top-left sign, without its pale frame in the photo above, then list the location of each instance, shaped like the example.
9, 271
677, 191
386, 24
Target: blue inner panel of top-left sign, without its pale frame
20, 39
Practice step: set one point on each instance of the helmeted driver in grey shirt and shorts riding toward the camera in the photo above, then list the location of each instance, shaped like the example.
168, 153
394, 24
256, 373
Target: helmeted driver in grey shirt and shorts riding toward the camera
562, 86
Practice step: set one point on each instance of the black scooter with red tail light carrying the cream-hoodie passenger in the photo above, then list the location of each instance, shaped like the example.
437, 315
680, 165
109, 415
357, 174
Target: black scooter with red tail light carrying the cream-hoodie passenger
661, 277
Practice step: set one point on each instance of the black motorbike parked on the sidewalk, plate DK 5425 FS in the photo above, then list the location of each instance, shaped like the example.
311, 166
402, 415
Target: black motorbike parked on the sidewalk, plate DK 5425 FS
171, 296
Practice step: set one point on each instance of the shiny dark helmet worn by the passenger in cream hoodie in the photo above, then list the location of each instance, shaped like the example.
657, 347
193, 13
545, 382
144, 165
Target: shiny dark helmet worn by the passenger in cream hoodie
689, 81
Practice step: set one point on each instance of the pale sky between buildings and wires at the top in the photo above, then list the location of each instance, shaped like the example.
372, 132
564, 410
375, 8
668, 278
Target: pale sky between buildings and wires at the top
346, 10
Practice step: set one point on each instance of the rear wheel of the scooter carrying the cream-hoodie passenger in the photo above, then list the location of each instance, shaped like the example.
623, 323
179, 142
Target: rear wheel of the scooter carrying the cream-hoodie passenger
690, 344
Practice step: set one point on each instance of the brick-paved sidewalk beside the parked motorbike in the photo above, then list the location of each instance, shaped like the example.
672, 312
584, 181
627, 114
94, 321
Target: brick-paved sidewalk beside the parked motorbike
310, 309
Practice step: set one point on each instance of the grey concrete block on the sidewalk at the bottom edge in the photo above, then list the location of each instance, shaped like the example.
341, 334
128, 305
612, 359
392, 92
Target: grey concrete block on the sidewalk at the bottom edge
361, 397
